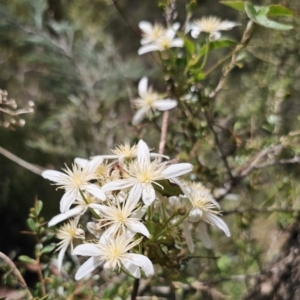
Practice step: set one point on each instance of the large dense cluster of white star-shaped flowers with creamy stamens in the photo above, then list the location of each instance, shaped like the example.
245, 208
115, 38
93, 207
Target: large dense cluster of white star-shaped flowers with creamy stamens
125, 194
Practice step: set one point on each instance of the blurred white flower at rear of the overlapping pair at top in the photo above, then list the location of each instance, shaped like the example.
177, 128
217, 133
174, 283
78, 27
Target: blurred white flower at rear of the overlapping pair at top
151, 33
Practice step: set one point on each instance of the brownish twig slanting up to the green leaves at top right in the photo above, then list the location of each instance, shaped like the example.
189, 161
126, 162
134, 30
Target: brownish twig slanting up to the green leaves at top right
245, 39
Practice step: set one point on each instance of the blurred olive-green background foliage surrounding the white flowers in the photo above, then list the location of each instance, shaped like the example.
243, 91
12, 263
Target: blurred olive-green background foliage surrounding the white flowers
78, 62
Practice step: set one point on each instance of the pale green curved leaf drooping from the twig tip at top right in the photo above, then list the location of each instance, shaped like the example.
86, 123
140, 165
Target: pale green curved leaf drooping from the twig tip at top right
260, 18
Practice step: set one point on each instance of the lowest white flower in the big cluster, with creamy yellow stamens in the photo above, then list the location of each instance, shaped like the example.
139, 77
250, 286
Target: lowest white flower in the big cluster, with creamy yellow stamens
113, 253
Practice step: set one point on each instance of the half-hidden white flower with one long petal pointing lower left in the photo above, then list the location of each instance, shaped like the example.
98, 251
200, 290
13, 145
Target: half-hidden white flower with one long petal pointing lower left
78, 210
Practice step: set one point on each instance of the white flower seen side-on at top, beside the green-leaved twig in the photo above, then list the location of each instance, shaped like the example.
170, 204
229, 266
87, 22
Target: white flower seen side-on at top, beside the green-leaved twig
211, 25
